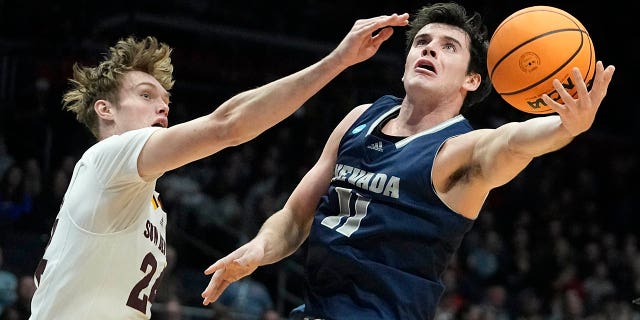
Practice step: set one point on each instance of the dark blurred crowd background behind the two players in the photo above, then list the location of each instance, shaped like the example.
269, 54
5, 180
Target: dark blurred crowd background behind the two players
560, 241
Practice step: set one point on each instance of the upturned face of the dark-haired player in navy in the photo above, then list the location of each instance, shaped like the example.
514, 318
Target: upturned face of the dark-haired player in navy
438, 61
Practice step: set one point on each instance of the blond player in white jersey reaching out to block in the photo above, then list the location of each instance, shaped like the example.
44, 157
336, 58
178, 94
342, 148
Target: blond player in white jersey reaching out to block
106, 254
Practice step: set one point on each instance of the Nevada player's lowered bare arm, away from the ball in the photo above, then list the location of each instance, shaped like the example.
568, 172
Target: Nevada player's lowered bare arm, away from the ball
283, 232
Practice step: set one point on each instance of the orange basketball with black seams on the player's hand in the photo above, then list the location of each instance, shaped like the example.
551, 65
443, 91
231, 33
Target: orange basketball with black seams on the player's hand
533, 46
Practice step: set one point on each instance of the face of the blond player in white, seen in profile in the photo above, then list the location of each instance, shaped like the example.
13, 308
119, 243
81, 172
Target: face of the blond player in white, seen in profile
143, 103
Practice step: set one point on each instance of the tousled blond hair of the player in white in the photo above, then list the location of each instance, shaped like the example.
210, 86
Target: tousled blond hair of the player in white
90, 84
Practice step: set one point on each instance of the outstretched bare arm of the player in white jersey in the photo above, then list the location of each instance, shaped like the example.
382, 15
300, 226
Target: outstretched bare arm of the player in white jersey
248, 114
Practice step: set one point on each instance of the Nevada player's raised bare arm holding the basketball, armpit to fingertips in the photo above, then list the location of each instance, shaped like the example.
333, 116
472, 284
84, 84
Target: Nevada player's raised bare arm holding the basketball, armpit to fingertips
470, 165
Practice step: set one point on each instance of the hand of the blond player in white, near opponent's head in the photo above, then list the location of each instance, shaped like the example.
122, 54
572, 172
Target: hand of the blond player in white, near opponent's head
366, 36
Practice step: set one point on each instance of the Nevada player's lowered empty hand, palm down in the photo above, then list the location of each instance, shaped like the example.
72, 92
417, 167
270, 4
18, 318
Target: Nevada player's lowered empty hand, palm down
235, 266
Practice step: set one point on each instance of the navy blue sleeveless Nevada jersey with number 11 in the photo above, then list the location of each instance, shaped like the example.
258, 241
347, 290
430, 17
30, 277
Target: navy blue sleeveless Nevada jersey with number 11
381, 238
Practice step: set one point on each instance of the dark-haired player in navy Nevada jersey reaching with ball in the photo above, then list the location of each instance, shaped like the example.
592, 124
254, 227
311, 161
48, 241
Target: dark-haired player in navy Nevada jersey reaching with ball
400, 181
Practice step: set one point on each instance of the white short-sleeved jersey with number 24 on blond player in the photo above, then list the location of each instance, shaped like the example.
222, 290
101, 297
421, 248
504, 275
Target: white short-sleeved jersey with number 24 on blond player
107, 248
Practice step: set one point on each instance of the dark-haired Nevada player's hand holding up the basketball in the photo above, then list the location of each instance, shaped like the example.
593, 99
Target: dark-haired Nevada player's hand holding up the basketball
578, 114
